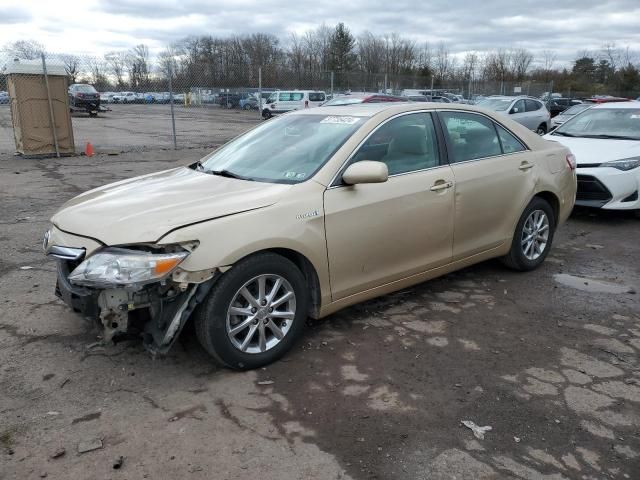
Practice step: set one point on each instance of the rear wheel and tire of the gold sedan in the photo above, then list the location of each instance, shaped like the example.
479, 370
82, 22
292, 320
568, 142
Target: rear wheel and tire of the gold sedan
533, 236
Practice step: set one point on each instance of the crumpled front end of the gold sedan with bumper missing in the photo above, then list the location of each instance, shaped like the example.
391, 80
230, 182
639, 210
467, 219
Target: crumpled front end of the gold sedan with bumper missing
156, 309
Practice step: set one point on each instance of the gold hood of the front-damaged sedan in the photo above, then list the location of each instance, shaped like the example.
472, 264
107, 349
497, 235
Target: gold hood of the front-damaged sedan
143, 209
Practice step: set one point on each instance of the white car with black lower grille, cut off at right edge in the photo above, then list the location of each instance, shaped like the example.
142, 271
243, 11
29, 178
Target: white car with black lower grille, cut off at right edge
605, 140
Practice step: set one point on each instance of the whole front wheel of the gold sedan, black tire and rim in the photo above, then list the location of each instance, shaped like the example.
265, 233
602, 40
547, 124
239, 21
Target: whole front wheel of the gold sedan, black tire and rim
255, 313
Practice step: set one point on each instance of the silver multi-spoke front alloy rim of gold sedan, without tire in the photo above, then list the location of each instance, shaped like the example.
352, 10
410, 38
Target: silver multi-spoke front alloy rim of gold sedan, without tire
261, 313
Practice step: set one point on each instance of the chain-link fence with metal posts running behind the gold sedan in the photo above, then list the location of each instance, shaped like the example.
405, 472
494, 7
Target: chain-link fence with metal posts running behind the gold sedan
178, 102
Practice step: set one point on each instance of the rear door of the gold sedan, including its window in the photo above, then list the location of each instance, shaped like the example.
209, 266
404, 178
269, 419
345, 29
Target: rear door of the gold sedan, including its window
494, 179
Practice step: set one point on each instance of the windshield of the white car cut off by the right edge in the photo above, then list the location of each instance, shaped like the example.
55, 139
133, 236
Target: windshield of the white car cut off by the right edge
622, 123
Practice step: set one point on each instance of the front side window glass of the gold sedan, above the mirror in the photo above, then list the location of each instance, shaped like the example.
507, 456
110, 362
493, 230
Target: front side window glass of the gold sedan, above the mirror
406, 143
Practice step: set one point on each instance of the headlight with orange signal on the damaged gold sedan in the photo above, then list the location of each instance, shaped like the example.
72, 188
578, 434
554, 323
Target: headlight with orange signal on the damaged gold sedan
120, 267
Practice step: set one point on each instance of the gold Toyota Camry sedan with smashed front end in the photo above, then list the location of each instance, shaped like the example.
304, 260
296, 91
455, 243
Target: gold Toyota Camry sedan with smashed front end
304, 215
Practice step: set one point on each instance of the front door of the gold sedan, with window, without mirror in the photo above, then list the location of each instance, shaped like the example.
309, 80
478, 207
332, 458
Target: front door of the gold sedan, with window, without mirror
380, 233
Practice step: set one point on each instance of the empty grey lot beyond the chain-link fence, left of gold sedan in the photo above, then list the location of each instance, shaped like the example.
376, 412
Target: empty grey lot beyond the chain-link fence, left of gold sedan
146, 127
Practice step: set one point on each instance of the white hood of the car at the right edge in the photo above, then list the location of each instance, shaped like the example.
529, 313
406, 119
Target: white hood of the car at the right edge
597, 150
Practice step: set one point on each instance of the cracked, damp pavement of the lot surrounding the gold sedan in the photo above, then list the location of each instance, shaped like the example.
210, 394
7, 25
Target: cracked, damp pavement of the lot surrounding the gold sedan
375, 391
